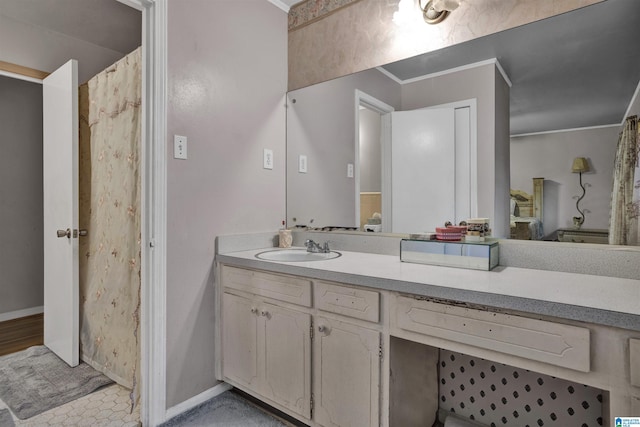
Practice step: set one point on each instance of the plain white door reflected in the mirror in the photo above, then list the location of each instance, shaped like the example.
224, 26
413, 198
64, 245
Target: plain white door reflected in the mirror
423, 169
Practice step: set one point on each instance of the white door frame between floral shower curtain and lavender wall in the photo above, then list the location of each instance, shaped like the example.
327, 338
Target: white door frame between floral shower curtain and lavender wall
154, 210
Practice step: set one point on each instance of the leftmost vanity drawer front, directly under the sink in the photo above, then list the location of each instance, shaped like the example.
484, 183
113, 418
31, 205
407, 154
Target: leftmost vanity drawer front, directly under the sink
283, 288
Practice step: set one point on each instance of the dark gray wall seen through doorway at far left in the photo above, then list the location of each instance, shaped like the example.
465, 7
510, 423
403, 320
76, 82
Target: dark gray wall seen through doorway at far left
21, 243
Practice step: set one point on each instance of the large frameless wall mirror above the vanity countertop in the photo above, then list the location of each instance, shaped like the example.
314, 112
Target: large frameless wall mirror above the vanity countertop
527, 102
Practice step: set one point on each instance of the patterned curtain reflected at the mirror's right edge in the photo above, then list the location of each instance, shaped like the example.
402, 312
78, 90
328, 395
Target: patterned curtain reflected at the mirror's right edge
625, 197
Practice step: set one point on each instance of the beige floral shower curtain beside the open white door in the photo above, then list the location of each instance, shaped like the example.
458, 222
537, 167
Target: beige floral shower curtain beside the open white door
110, 199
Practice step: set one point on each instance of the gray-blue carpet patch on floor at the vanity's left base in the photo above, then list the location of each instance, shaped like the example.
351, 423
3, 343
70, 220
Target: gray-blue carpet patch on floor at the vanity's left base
225, 410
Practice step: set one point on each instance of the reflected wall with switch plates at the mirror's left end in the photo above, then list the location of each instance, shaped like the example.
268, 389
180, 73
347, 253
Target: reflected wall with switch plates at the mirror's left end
321, 125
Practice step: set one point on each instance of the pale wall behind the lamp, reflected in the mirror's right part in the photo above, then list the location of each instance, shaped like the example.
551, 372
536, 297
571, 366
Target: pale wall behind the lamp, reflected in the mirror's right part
550, 156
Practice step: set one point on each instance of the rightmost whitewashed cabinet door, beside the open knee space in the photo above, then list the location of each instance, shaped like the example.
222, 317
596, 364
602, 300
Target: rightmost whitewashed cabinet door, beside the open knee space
346, 374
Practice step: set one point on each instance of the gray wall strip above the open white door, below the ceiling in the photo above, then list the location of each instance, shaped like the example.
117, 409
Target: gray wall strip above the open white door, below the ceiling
45, 50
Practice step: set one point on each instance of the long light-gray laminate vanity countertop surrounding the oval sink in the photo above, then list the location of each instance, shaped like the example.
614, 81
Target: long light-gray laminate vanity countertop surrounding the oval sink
586, 298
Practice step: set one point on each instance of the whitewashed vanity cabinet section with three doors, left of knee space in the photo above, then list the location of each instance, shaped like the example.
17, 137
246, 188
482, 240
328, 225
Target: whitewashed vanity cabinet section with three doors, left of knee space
320, 362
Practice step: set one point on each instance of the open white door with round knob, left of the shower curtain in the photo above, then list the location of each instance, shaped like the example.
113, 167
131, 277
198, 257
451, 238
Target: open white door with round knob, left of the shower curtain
60, 170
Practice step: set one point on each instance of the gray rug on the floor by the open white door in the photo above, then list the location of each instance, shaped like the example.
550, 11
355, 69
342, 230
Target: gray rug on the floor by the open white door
36, 380
